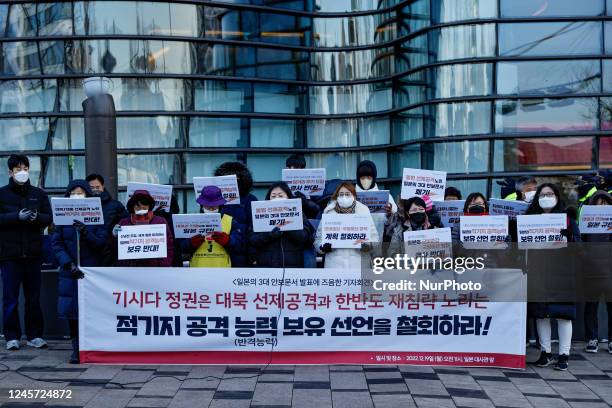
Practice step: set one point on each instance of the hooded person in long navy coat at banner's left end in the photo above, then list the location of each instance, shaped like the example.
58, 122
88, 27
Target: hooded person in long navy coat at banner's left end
91, 242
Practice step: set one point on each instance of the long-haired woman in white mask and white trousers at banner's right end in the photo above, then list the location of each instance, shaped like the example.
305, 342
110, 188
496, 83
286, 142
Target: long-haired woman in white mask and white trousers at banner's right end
548, 263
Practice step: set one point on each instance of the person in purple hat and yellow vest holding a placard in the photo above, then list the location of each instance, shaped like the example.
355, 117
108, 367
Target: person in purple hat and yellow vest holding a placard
215, 249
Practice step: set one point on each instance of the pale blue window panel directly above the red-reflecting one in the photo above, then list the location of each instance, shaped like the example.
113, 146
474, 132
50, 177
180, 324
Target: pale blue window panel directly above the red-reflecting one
545, 115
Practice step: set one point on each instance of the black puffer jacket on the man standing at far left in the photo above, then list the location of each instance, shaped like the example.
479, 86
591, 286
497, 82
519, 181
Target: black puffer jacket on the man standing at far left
22, 239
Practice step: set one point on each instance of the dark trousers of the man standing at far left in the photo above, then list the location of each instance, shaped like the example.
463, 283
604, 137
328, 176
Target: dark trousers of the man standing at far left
16, 273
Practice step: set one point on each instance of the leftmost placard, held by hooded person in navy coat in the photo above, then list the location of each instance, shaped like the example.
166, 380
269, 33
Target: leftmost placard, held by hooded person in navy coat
86, 210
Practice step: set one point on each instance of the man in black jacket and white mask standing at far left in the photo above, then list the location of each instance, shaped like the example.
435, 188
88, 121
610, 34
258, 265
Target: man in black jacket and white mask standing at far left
24, 214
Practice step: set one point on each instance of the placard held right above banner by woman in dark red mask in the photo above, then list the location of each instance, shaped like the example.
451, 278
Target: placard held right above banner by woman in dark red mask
484, 232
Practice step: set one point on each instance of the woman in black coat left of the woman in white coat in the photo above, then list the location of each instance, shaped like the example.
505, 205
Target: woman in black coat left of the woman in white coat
281, 249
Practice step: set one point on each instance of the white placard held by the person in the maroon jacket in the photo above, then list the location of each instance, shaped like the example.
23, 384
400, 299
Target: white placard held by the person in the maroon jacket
142, 242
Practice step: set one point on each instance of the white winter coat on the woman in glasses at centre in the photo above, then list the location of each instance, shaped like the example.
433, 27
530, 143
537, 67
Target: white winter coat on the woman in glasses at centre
345, 258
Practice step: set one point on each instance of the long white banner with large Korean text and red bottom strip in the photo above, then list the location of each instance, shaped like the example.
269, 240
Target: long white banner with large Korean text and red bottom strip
231, 316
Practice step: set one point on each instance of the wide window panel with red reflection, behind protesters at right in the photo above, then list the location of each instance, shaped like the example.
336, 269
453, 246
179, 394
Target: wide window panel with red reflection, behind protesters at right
530, 154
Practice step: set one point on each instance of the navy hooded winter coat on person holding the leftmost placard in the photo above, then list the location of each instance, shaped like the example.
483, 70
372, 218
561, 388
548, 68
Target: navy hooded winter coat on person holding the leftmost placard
64, 245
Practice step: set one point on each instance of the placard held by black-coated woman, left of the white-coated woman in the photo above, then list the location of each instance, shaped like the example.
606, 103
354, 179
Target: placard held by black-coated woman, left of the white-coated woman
284, 214
